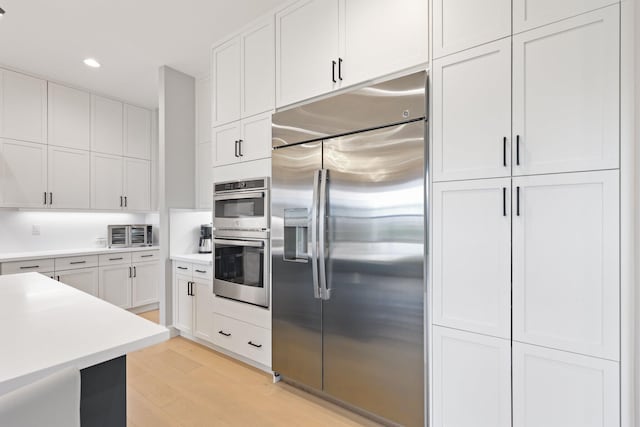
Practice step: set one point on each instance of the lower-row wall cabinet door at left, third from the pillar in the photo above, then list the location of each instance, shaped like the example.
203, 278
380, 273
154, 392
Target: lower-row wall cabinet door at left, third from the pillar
69, 181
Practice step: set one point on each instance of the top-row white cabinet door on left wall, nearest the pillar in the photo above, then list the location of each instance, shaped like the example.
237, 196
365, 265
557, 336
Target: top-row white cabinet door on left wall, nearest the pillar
137, 132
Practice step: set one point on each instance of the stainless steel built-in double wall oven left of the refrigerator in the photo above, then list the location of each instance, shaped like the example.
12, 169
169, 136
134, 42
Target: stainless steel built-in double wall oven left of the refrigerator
241, 239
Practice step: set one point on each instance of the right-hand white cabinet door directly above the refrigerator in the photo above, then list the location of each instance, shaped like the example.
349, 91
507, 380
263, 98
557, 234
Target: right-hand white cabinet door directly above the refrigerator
368, 51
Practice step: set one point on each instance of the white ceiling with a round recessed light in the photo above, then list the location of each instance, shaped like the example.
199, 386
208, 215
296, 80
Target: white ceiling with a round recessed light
130, 38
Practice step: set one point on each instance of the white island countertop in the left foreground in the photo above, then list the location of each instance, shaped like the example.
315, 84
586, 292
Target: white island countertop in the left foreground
48, 326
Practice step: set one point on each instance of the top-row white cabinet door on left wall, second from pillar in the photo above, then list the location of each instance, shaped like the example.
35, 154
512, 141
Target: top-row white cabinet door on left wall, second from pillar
107, 125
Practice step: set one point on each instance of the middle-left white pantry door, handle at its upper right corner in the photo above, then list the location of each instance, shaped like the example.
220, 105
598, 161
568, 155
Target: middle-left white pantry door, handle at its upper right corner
471, 256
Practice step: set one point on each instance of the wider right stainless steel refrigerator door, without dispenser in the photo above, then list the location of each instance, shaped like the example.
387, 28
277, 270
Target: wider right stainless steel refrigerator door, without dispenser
373, 319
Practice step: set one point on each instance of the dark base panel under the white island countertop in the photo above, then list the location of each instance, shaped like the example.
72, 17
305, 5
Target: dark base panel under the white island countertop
103, 395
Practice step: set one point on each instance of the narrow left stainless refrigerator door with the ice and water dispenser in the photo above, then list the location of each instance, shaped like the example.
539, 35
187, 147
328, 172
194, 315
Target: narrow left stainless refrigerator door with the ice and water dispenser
297, 314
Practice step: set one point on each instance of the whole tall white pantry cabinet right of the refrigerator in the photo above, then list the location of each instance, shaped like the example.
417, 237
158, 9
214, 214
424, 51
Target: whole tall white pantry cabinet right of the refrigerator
526, 228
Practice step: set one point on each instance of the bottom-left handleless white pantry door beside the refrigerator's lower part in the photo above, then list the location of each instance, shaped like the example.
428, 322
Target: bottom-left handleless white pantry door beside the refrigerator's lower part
471, 380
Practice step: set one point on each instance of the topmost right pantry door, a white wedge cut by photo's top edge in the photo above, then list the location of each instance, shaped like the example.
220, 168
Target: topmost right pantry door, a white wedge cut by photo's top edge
528, 14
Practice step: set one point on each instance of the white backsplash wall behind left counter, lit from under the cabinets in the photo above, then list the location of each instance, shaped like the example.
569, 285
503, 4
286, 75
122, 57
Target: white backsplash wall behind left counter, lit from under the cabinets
60, 230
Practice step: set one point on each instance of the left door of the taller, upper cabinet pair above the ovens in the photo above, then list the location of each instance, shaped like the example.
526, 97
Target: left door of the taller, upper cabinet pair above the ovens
226, 81
